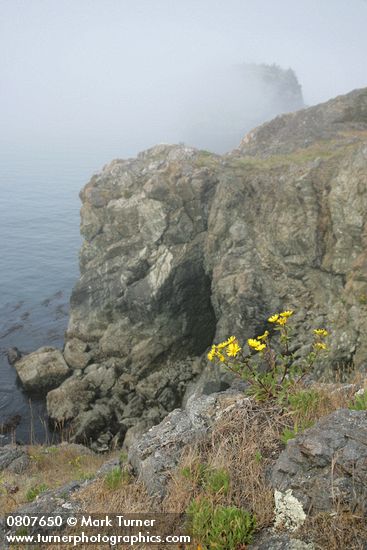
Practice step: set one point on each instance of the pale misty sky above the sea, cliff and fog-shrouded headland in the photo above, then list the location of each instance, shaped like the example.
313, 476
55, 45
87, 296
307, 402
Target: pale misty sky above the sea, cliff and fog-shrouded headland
122, 74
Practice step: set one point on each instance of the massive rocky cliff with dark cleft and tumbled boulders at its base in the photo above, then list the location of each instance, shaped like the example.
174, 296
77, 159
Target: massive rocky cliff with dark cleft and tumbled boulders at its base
183, 247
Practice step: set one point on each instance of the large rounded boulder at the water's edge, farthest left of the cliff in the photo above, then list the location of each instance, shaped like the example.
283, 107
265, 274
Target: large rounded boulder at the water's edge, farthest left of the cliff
42, 370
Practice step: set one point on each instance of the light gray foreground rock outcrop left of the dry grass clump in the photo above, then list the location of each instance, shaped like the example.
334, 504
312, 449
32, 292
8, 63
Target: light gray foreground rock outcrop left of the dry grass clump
158, 451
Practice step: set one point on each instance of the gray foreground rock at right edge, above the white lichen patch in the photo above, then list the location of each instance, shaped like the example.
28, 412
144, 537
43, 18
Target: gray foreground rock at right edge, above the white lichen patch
326, 466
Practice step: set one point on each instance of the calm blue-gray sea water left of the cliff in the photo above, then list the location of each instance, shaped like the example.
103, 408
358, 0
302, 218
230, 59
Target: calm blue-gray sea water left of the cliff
39, 243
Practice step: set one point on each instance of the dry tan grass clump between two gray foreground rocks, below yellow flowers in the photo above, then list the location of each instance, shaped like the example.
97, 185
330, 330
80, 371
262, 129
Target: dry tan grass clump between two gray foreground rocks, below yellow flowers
244, 443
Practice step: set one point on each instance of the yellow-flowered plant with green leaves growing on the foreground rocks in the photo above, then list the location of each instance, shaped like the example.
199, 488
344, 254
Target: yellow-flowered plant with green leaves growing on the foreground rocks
271, 374
